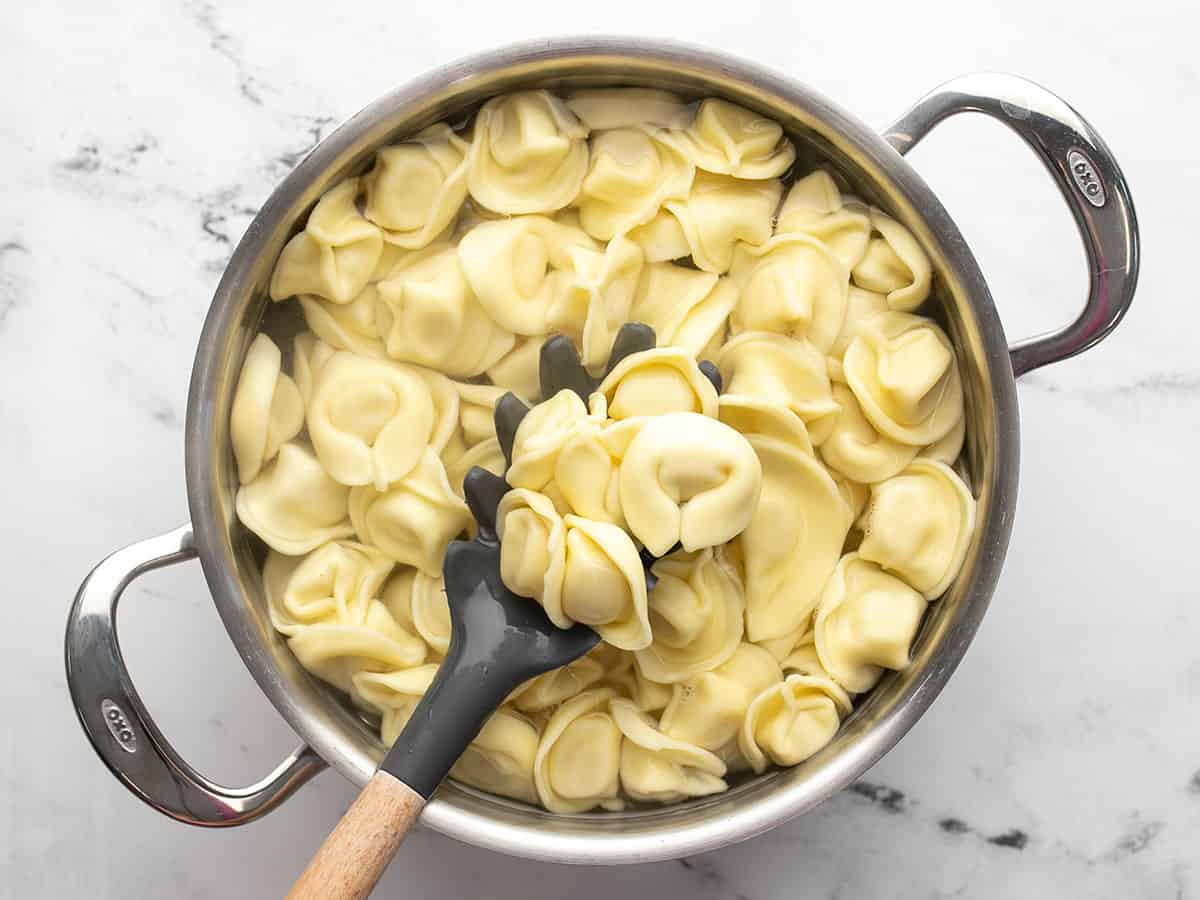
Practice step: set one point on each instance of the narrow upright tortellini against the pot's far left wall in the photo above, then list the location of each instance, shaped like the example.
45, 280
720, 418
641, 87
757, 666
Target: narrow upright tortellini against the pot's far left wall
268, 410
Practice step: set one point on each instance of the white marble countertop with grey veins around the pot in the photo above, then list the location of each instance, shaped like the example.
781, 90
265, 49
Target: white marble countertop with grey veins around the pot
137, 140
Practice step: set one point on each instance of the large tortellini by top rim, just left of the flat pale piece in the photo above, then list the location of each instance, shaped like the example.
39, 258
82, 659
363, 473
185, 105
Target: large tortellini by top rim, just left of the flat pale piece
530, 154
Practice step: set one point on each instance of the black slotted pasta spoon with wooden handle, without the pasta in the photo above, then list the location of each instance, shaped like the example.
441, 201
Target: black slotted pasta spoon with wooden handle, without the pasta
497, 641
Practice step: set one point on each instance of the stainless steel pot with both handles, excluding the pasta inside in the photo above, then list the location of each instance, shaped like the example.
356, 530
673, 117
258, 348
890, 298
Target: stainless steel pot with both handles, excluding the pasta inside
1094, 189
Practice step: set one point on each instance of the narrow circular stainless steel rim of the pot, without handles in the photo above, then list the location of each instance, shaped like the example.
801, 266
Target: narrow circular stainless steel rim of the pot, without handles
916, 205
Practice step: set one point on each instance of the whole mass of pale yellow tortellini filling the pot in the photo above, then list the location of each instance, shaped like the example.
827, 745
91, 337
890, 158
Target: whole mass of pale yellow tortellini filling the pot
754, 514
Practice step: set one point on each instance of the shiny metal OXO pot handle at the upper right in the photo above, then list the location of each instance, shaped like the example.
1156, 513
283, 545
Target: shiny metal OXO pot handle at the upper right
1090, 181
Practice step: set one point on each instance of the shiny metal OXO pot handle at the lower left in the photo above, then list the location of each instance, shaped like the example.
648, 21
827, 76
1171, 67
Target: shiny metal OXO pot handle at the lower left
117, 722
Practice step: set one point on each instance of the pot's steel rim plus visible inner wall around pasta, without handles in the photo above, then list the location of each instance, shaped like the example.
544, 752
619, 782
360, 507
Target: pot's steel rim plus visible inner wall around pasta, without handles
825, 136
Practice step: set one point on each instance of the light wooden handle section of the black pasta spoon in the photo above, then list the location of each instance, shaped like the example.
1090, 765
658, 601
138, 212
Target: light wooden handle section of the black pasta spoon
358, 851
